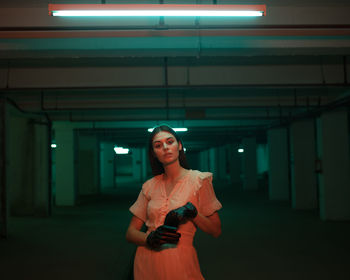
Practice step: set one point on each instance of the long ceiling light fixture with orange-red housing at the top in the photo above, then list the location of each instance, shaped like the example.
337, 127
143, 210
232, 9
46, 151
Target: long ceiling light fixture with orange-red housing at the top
146, 10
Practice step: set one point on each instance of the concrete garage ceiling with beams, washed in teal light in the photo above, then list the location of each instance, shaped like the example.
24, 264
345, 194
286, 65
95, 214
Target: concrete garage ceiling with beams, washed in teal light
226, 78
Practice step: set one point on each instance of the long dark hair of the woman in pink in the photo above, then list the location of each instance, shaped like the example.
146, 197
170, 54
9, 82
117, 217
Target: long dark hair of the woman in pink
156, 165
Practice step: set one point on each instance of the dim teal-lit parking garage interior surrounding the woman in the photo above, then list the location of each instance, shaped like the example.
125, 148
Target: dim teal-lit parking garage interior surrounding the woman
266, 105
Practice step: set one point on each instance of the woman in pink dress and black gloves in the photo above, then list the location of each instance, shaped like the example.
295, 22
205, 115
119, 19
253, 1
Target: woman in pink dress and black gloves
172, 204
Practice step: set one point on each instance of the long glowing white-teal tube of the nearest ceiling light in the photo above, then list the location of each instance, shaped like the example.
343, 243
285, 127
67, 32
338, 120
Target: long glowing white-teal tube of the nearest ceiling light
156, 13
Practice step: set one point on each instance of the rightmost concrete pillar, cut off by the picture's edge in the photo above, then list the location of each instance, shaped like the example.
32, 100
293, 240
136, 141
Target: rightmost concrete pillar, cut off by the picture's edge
334, 181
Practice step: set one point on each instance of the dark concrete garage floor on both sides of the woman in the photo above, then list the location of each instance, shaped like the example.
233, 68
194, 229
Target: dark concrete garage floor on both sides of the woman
261, 240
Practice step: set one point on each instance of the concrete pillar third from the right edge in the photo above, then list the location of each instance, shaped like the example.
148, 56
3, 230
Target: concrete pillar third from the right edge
278, 164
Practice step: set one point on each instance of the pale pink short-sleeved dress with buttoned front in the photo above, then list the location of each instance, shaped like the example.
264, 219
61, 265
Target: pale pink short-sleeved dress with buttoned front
173, 261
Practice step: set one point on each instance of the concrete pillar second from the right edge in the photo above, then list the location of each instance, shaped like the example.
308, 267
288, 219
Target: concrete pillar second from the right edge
303, 176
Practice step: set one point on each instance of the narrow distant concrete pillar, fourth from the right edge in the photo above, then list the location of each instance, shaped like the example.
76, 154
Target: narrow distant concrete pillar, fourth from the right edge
250, 174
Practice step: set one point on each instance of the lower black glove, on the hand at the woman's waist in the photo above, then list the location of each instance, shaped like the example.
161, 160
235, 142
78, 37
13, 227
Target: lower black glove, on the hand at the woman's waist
162, 235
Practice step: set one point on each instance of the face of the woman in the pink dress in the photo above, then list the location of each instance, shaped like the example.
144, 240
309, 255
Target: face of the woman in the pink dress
166, 148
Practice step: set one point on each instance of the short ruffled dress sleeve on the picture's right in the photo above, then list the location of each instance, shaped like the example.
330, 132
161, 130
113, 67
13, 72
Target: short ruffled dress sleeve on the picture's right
208, 203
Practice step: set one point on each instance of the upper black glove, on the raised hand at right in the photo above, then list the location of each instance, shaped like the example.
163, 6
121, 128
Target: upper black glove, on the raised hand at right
181, 215
